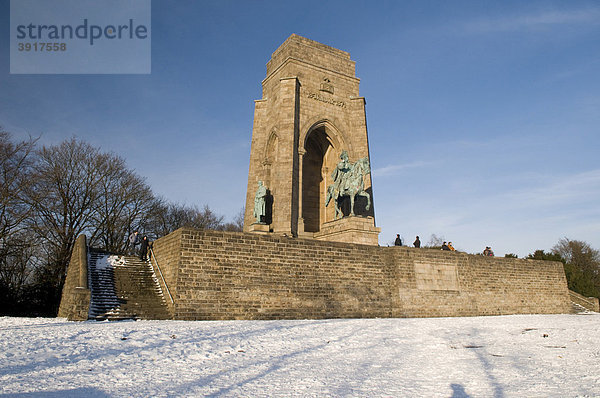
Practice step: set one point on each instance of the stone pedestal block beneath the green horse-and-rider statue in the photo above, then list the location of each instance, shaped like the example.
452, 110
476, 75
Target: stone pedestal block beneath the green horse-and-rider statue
350, 229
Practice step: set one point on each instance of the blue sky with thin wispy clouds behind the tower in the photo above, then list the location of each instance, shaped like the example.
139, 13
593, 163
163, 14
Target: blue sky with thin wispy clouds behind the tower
483, 117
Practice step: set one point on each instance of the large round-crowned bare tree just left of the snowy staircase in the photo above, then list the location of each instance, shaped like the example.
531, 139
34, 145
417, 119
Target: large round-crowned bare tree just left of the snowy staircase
66, 186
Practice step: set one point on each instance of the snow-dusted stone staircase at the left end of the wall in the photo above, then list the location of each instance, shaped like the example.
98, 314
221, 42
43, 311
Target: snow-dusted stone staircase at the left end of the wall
123, 287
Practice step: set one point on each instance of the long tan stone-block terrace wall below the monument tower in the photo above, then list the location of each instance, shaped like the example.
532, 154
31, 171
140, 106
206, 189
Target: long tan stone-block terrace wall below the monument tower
217, 275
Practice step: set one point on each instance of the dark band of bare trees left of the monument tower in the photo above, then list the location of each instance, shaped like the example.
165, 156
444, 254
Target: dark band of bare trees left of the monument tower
49, 195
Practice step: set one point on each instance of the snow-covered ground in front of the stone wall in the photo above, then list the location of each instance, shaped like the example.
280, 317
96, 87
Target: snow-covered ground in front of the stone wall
508, 356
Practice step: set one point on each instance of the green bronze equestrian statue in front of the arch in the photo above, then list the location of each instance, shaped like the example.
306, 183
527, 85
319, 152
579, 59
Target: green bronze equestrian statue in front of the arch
348, 181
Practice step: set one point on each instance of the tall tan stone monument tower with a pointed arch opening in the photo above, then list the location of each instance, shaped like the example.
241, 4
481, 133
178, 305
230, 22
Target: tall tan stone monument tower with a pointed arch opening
310, 124
